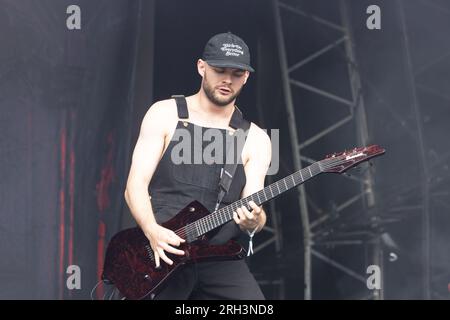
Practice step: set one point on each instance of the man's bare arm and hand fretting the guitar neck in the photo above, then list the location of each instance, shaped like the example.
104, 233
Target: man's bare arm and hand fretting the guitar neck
255, 171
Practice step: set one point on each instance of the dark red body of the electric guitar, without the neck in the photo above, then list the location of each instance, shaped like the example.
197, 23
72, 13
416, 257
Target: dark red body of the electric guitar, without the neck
130, 265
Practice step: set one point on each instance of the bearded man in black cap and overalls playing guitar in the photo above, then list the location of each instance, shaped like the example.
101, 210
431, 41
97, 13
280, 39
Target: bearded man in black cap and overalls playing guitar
224, 68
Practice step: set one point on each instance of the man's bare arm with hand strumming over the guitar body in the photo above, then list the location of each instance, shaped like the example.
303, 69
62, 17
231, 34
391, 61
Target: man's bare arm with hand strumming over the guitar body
146, 156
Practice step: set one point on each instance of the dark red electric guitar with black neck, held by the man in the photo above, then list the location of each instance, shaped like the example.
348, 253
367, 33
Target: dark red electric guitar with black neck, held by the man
129, 261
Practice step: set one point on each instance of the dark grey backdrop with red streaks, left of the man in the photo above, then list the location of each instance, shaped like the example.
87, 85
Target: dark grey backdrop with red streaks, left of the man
67, 97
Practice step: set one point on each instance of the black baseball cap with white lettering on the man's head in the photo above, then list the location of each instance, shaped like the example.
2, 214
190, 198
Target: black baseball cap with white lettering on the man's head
227, 50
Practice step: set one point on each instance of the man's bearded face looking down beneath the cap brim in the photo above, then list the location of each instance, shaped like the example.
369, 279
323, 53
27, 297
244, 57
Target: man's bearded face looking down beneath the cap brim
222, 85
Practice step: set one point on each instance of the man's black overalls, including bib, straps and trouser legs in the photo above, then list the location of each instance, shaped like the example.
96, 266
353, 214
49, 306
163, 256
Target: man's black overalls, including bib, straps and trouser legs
172, 187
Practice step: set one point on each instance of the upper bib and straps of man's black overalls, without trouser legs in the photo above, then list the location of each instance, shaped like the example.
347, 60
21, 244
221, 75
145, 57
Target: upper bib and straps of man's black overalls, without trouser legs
174, 186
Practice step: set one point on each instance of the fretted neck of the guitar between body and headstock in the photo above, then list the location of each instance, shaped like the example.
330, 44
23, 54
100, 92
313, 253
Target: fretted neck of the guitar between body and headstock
225, 214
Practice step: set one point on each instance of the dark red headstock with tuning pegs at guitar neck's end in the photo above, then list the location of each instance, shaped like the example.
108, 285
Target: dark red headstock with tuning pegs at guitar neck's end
341, 162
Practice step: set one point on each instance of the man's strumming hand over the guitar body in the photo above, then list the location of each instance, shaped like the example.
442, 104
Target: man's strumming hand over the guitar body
161, 240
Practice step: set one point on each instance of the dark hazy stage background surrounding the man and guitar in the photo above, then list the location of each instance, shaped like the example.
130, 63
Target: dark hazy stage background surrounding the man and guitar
71, 103
